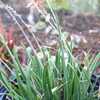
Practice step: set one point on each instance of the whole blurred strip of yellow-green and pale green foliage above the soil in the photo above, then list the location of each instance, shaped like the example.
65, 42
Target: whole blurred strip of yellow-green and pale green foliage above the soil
77, 6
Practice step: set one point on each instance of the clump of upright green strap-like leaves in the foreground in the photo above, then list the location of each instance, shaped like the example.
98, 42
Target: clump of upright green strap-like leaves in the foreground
57, 78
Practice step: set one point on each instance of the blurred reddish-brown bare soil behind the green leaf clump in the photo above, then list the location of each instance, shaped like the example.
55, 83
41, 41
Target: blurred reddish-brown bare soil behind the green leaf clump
87, 26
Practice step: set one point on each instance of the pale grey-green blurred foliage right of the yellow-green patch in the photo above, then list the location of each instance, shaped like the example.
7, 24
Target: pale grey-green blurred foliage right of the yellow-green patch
83, 6
